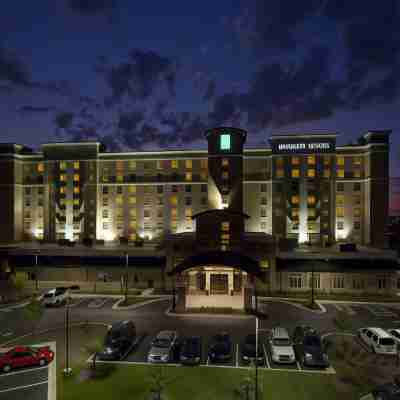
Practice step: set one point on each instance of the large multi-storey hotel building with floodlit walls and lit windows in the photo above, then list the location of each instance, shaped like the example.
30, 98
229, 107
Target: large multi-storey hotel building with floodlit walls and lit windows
301, 189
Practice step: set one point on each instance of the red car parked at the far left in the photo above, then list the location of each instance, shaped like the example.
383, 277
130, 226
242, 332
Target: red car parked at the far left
23, 356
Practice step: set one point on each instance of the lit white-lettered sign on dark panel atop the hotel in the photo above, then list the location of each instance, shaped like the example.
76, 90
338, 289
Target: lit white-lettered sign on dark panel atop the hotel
303, 146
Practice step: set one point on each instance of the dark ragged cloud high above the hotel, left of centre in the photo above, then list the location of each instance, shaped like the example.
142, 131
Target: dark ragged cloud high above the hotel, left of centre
143, 74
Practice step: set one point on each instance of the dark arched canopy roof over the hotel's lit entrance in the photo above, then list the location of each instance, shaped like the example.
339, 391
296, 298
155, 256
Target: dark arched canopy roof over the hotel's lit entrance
223, 258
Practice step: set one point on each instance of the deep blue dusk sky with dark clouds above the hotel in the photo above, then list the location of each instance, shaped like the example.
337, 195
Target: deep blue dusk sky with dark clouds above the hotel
155, 74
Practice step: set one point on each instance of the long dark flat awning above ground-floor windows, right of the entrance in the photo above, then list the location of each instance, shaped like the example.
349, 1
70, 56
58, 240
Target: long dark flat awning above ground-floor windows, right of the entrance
337, 265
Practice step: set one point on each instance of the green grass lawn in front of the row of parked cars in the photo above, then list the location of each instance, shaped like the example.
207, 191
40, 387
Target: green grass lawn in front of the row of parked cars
133, 382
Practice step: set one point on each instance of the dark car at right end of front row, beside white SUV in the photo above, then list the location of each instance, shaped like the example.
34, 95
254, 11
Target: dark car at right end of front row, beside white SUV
308, 347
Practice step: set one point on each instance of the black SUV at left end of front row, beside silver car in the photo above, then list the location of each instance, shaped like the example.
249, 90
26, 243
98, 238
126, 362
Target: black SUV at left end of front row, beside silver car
120, 338
